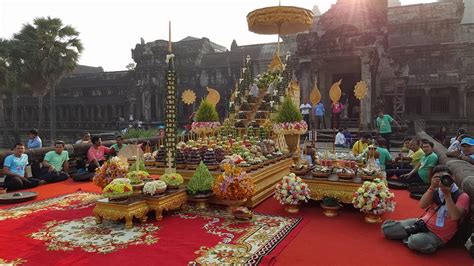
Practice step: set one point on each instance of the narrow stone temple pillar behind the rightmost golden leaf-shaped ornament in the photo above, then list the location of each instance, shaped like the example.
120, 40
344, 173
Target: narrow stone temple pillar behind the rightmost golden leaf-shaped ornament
366, 103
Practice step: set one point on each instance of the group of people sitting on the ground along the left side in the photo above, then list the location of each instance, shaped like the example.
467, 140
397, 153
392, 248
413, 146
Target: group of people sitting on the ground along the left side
22, 173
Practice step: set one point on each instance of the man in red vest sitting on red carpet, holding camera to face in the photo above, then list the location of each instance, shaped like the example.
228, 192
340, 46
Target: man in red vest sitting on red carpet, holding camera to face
445, 206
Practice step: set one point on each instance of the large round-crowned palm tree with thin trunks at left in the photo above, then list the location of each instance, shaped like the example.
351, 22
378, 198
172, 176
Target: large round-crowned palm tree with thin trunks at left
48, 51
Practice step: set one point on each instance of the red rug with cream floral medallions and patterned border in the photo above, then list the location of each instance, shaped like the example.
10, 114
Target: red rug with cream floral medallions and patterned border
62, 231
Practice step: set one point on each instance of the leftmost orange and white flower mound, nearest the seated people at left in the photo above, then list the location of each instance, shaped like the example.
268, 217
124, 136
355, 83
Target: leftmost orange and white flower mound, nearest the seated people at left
110, 170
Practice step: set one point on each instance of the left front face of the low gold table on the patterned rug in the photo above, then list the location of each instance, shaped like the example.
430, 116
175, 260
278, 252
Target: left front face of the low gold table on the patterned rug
134, 207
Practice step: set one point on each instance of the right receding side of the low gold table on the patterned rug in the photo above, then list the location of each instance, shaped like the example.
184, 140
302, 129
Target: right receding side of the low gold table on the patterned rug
168, 202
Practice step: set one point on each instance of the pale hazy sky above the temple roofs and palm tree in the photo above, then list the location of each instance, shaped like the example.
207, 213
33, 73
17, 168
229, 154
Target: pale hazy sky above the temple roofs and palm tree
109, 29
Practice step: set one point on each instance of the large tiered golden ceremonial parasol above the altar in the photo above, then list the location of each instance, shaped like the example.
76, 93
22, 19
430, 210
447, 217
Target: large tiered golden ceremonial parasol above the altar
280, 20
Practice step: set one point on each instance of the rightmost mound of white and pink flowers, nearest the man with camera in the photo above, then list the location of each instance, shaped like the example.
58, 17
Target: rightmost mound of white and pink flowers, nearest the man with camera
374, 197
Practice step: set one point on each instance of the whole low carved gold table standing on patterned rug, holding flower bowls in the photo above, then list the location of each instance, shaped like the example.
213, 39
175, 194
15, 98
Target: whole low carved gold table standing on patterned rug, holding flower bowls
138, 207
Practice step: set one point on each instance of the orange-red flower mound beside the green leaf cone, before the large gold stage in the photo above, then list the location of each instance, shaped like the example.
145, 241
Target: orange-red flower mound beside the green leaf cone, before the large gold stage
233, 184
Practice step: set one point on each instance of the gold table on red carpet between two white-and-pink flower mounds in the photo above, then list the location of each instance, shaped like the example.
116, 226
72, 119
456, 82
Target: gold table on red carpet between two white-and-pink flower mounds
343, 191
